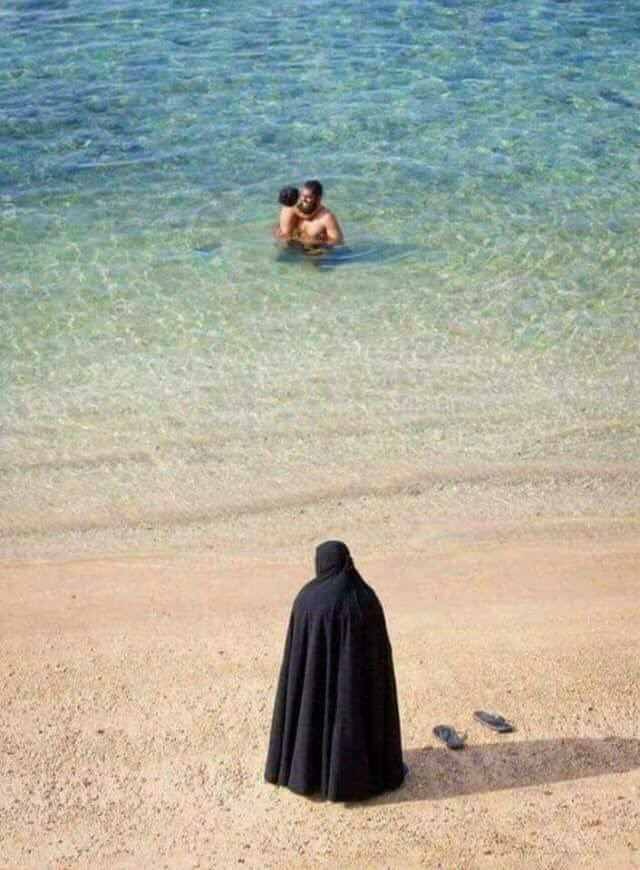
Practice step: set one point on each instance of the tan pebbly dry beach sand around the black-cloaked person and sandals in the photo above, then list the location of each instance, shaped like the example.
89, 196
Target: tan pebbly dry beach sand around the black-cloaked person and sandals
136, 697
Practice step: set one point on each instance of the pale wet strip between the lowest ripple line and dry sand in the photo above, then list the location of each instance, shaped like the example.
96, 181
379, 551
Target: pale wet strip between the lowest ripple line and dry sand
406, 503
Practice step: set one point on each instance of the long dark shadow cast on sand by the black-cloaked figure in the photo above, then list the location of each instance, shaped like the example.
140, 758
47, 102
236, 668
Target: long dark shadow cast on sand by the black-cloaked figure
437, 774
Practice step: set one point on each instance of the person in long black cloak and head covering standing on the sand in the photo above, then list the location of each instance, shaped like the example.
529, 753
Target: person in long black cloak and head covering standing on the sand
336, 728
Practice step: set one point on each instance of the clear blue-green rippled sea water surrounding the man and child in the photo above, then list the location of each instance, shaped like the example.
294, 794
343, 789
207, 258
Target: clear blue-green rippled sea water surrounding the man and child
160, 359
